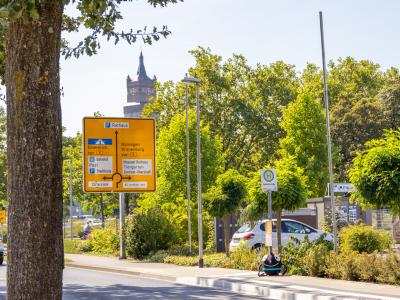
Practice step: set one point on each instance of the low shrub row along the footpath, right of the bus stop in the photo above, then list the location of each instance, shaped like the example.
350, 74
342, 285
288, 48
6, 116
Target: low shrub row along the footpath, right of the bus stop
317, 259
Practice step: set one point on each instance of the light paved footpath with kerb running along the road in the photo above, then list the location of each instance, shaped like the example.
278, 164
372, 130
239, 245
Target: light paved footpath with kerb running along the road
244, 282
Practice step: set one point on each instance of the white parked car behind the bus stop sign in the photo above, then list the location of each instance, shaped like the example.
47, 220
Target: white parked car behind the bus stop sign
254, 236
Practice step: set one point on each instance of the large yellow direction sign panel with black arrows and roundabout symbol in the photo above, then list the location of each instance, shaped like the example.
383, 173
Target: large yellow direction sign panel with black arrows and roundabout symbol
119, 155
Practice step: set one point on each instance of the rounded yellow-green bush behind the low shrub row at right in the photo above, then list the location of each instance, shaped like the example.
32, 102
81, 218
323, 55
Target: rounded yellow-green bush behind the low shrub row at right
362, 238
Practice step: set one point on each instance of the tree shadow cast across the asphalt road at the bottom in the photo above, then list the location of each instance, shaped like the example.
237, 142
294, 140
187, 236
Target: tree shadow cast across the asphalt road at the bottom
119, 291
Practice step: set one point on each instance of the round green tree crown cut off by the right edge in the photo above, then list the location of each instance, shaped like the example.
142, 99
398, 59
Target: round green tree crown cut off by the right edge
376, 173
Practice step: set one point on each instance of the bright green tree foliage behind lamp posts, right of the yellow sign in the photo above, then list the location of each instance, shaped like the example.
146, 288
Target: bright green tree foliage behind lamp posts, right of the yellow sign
171, 194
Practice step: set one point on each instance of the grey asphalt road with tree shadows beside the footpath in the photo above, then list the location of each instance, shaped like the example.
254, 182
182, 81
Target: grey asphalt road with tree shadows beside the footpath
88, 284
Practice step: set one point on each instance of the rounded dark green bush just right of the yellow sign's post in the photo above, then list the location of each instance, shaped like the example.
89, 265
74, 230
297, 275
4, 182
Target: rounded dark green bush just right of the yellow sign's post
148, 231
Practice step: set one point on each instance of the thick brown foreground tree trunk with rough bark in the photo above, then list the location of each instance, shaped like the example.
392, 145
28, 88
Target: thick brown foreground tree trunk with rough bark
35, 246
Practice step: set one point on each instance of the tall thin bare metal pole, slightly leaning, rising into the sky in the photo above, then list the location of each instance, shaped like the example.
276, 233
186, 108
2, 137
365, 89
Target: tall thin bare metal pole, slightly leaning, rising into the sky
328, 134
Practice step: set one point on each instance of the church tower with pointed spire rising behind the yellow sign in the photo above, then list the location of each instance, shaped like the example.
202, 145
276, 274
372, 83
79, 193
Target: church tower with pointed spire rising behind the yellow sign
139, 89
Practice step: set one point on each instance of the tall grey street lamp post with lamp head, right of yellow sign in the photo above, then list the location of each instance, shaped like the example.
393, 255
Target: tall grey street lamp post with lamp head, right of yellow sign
199, 199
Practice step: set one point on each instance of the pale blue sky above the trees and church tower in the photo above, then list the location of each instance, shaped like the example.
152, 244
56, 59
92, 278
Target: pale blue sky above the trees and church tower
262, 30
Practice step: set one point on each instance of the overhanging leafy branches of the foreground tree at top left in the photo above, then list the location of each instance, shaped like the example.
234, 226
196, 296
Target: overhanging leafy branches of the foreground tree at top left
98, 17
